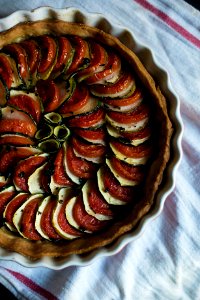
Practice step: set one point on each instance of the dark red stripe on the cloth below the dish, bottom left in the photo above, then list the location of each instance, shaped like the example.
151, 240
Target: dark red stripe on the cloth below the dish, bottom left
32, 285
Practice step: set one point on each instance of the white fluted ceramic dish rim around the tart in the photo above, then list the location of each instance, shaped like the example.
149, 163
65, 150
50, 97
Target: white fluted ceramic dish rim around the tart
161, 76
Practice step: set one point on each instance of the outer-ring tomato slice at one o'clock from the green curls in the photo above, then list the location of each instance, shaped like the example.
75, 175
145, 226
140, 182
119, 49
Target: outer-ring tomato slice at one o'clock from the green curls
97, 62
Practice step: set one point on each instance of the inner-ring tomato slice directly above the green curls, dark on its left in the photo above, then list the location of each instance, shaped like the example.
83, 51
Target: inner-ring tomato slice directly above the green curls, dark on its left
49, 93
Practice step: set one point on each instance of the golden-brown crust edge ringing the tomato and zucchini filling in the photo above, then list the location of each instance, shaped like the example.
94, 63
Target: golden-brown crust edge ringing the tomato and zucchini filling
39, 249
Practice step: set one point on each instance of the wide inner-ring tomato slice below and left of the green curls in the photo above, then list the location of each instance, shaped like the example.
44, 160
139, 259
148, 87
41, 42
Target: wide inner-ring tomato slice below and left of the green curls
24, 169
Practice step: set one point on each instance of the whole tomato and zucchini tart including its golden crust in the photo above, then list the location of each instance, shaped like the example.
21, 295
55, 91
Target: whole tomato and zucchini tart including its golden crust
84, 139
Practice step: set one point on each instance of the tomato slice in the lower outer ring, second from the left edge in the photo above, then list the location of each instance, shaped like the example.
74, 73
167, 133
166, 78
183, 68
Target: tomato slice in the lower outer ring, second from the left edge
13, 205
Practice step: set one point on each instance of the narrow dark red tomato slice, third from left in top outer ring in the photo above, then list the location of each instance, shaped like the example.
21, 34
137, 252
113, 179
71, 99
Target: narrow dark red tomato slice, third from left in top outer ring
33, 54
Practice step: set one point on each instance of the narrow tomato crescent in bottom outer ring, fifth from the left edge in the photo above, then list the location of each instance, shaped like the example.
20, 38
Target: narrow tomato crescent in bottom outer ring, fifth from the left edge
63, 223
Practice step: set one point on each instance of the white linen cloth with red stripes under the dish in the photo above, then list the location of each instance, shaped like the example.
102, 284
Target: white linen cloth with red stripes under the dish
164, 263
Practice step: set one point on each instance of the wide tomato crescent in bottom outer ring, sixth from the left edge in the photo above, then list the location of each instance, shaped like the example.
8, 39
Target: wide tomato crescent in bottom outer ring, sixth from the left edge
84, 220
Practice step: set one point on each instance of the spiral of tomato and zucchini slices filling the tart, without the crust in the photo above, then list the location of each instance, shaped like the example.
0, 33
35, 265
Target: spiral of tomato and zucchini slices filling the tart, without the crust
74, 136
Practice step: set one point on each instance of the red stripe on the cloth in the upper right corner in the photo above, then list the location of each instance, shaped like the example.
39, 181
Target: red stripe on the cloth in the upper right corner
170, 22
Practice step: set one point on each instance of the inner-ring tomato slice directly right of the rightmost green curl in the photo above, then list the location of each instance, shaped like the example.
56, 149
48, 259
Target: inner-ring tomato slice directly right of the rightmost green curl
98, 134
